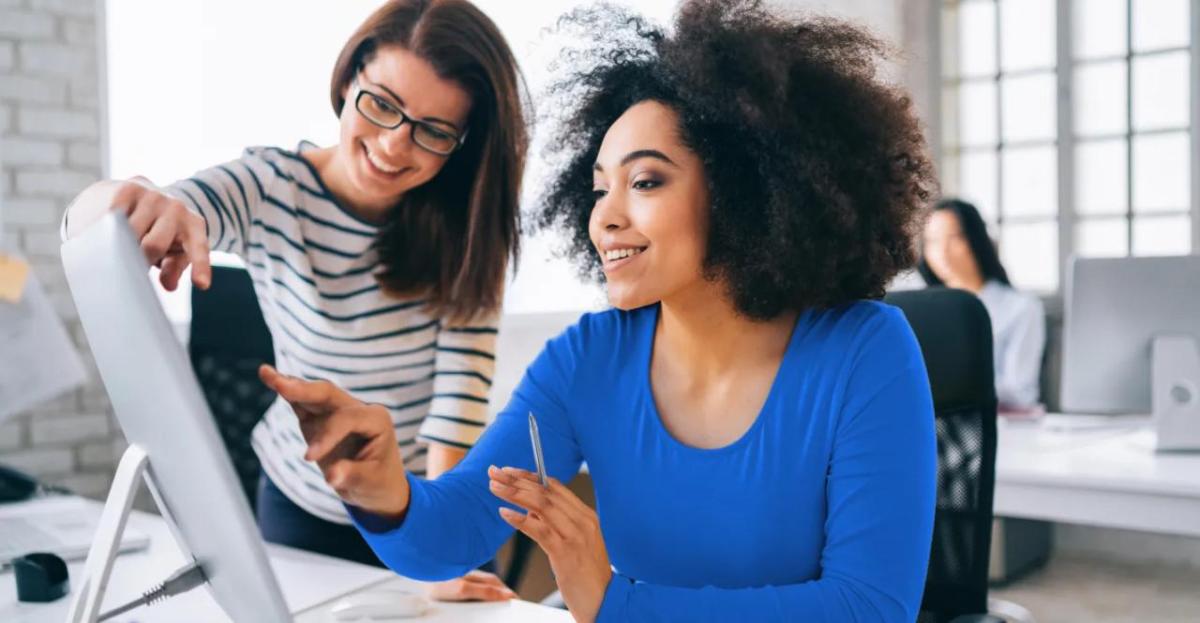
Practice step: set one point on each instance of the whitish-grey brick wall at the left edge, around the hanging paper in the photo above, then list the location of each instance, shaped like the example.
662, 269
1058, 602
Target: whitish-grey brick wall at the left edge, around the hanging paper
50, 151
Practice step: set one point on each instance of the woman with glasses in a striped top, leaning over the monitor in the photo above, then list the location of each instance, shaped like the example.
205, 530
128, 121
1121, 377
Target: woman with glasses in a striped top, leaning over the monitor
379, 262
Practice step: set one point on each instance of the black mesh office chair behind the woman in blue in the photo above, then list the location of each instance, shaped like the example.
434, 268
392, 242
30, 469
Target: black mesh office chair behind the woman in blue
955, 332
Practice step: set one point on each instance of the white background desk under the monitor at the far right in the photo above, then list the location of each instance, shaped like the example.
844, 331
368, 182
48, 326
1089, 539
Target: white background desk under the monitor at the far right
1109, 478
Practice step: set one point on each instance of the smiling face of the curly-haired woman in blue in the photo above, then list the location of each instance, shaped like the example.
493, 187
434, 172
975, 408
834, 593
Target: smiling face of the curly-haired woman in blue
651, 218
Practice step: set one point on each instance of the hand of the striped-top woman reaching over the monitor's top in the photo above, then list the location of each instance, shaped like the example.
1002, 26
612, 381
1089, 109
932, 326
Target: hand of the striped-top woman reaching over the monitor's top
172, 237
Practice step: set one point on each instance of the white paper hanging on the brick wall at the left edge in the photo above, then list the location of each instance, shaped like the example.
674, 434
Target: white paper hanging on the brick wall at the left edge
38, 360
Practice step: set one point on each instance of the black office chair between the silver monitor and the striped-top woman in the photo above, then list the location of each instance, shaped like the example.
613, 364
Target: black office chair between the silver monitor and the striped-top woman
229, 342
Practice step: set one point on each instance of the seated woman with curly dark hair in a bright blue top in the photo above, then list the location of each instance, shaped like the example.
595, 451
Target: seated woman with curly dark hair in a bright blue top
759, 430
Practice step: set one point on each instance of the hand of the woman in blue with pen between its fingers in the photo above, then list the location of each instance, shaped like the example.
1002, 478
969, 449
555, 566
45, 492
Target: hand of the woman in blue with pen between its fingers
566, 529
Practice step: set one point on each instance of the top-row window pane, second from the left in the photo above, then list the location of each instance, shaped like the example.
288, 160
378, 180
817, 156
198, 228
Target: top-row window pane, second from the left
1027, 32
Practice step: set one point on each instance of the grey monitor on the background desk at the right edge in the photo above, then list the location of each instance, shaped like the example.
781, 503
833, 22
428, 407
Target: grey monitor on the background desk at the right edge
1117, 310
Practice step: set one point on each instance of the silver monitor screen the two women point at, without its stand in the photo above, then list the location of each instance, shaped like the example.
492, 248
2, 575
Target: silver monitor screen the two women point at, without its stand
161, 410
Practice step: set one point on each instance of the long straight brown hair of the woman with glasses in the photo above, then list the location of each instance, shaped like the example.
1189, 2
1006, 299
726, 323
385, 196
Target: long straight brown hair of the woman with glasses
452, 238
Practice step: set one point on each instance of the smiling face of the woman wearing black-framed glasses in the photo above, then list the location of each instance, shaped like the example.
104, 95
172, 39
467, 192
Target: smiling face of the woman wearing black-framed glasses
382, 165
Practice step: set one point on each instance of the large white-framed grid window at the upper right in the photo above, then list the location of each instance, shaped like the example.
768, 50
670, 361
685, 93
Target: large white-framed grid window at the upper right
1069, 124
